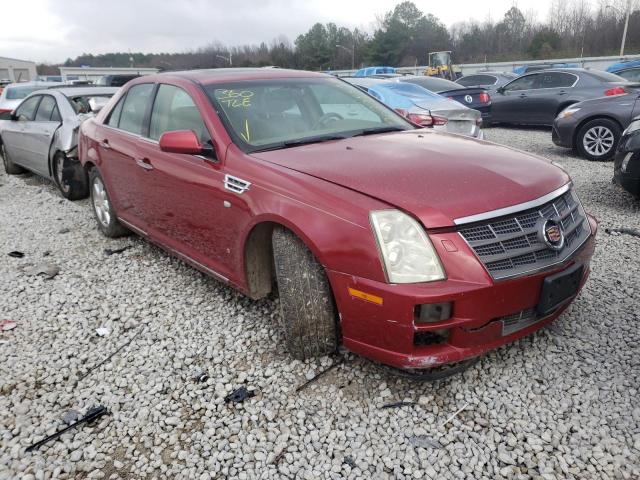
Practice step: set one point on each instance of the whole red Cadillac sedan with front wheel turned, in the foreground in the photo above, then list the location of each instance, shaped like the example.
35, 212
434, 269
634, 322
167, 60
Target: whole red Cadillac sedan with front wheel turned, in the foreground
411, 247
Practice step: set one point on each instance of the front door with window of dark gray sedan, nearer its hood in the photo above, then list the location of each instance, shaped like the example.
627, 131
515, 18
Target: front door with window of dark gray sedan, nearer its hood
510, 103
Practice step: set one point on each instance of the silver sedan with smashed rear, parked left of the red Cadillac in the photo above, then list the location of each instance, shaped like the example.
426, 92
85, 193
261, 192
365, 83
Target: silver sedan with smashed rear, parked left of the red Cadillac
42, 135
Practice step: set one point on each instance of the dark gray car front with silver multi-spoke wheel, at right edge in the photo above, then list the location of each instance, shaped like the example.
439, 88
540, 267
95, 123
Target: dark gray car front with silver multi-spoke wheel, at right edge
593, 127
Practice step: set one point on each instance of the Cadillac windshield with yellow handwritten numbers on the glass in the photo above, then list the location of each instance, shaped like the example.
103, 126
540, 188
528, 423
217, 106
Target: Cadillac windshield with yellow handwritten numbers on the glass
268, 114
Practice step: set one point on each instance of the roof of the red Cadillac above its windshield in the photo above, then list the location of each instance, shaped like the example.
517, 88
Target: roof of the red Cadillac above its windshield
221, 75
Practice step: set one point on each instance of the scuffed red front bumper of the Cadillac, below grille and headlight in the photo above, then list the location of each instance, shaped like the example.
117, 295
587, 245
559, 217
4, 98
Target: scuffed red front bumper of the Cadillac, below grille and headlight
386, 331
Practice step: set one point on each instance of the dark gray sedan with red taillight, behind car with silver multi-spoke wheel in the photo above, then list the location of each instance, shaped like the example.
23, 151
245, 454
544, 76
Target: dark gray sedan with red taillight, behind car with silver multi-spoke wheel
537, 98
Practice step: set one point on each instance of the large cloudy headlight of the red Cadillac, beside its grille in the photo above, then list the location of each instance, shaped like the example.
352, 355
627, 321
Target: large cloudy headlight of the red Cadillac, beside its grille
407, 253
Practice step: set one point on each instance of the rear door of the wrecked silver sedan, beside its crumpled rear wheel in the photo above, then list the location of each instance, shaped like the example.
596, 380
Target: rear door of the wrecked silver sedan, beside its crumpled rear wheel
39, 133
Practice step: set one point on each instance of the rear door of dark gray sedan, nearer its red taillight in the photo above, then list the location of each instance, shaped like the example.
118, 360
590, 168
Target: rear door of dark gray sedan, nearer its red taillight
552, 89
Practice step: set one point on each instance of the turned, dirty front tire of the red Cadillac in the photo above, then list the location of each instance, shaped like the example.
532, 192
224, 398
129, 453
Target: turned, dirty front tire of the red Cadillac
308, 314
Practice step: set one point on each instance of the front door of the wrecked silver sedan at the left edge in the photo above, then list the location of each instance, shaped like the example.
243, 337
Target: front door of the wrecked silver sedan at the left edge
14, 134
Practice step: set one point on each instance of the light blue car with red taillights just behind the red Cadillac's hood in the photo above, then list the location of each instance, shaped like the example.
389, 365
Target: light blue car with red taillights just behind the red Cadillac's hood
423, 107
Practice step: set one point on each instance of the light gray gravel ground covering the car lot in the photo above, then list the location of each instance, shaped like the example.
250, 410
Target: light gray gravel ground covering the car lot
559, 404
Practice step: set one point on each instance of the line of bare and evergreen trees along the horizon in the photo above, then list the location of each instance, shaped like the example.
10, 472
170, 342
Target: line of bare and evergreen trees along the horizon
405, 35
